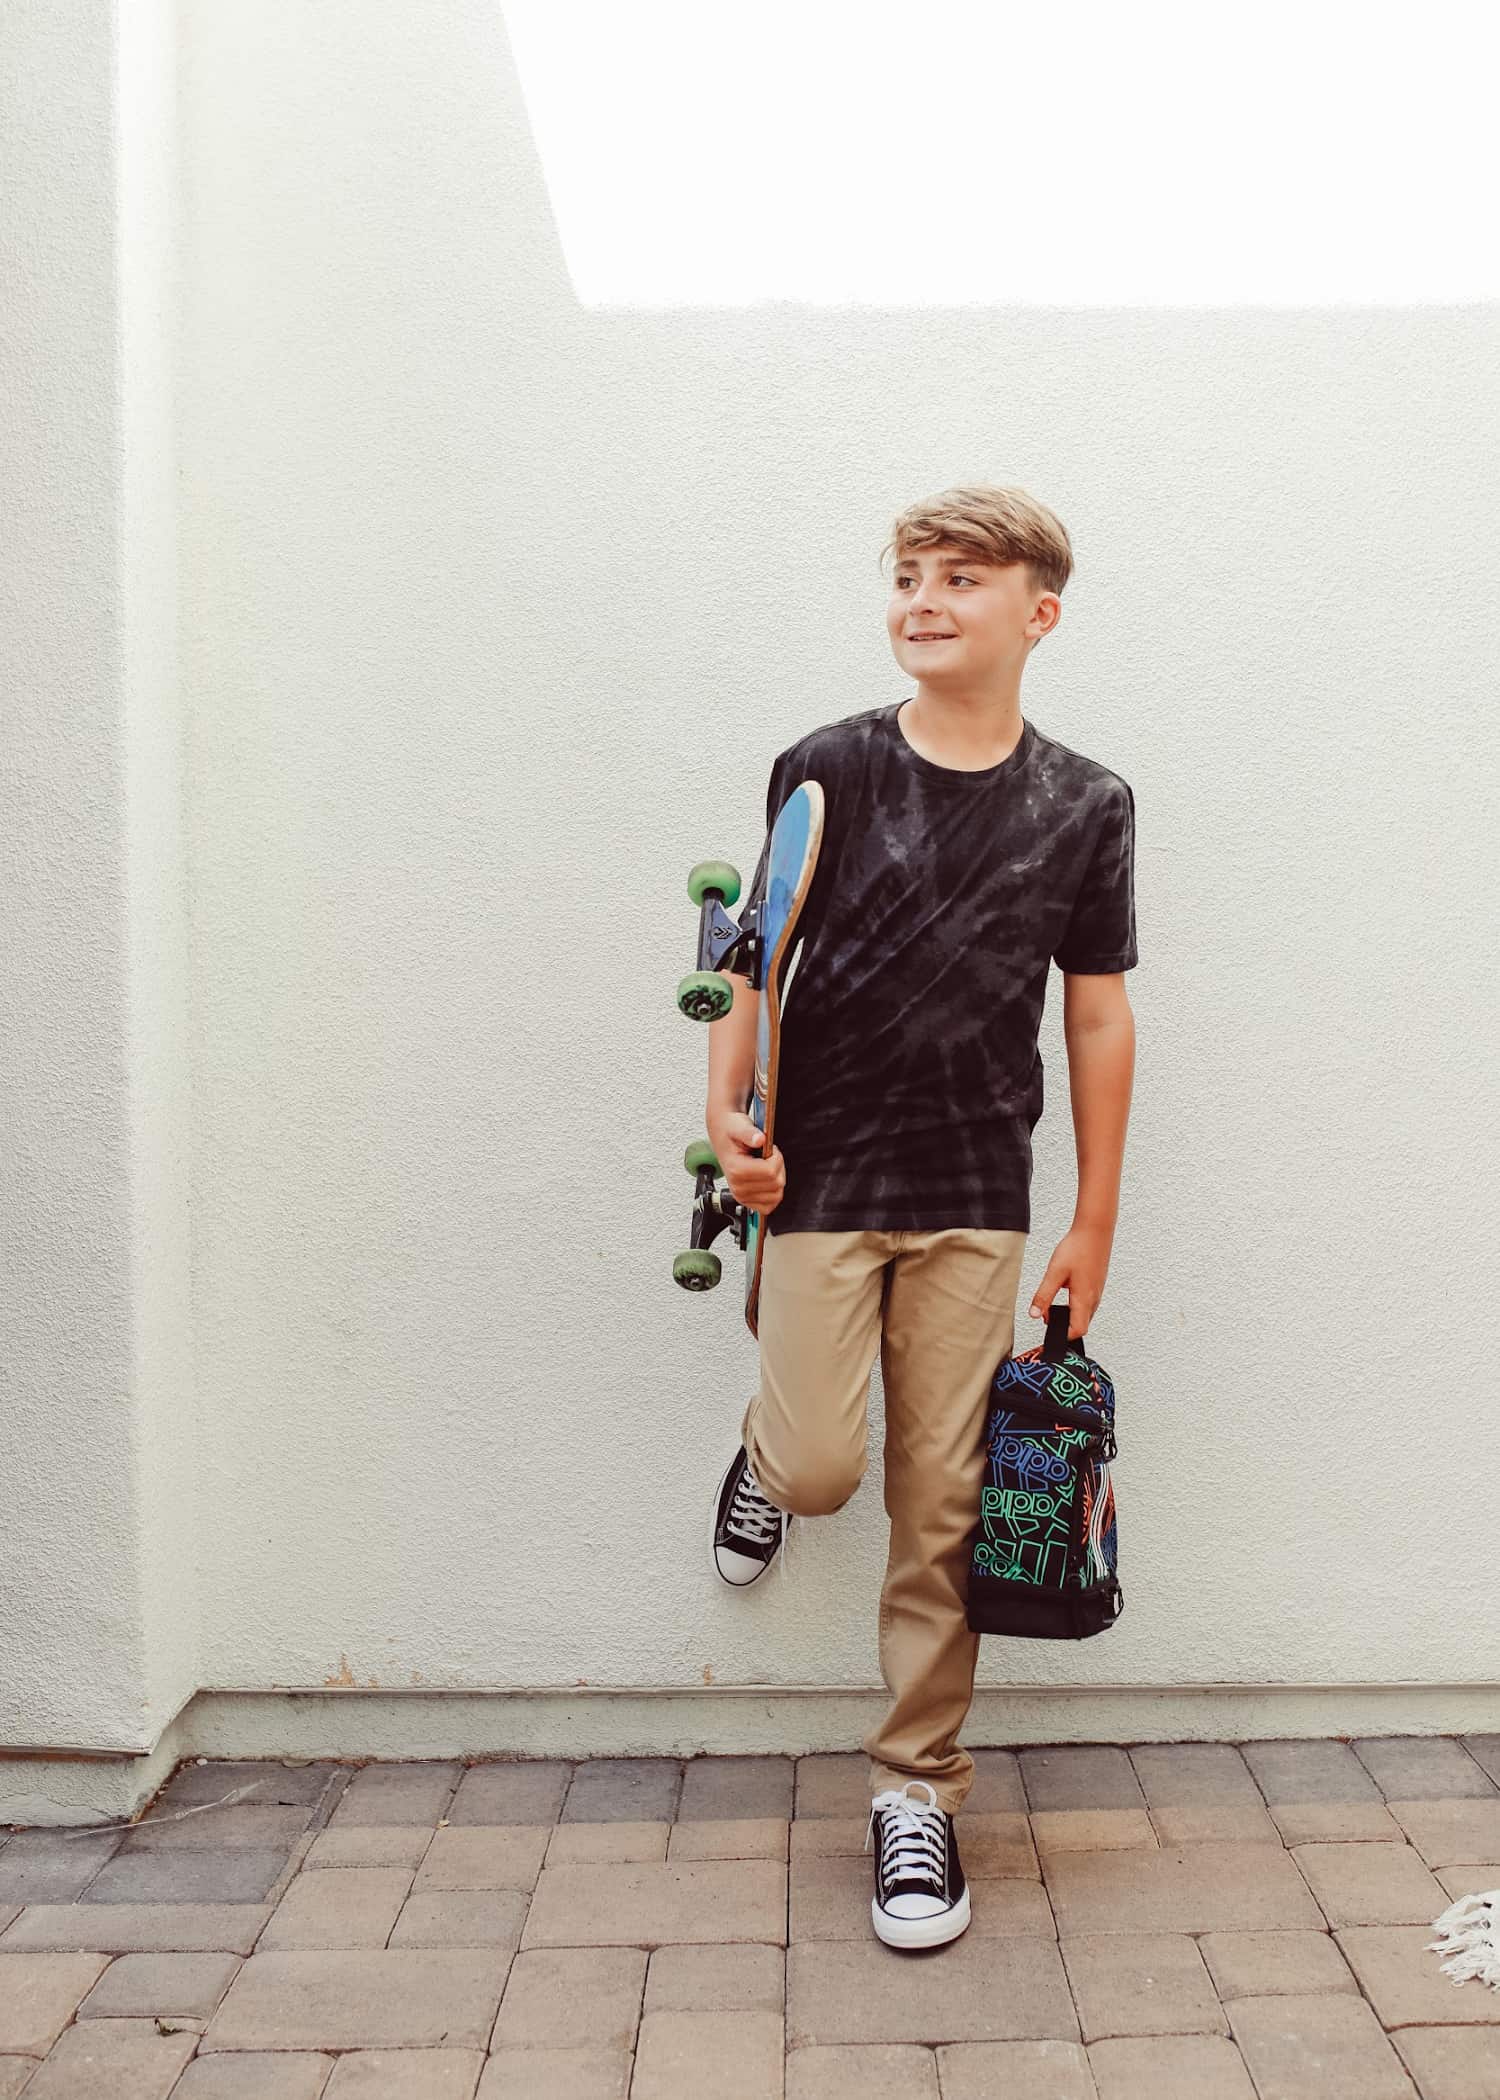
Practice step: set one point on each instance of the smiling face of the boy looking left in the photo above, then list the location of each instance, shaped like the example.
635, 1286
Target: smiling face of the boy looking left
993, 612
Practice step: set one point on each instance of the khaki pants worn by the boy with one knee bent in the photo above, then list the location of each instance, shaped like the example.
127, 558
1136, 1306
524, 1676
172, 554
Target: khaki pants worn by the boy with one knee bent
940, 1307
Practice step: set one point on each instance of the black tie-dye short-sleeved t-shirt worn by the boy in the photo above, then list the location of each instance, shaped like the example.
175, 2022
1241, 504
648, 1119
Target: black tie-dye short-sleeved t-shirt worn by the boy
911, 1070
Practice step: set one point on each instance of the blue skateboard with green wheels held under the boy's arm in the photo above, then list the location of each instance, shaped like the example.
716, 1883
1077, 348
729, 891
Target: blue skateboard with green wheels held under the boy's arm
764, 950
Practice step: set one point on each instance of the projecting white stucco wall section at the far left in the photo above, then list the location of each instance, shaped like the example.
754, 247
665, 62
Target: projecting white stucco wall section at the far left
98, 1498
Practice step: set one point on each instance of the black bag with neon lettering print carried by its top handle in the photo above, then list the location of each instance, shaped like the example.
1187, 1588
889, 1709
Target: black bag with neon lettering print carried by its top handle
1043, 1555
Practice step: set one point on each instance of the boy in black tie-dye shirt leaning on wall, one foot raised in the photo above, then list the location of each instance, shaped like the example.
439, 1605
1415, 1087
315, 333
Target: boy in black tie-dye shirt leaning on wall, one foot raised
963, 852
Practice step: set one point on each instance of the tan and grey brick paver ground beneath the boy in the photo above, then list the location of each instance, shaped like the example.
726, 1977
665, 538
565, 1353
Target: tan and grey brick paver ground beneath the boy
1161, 1923
